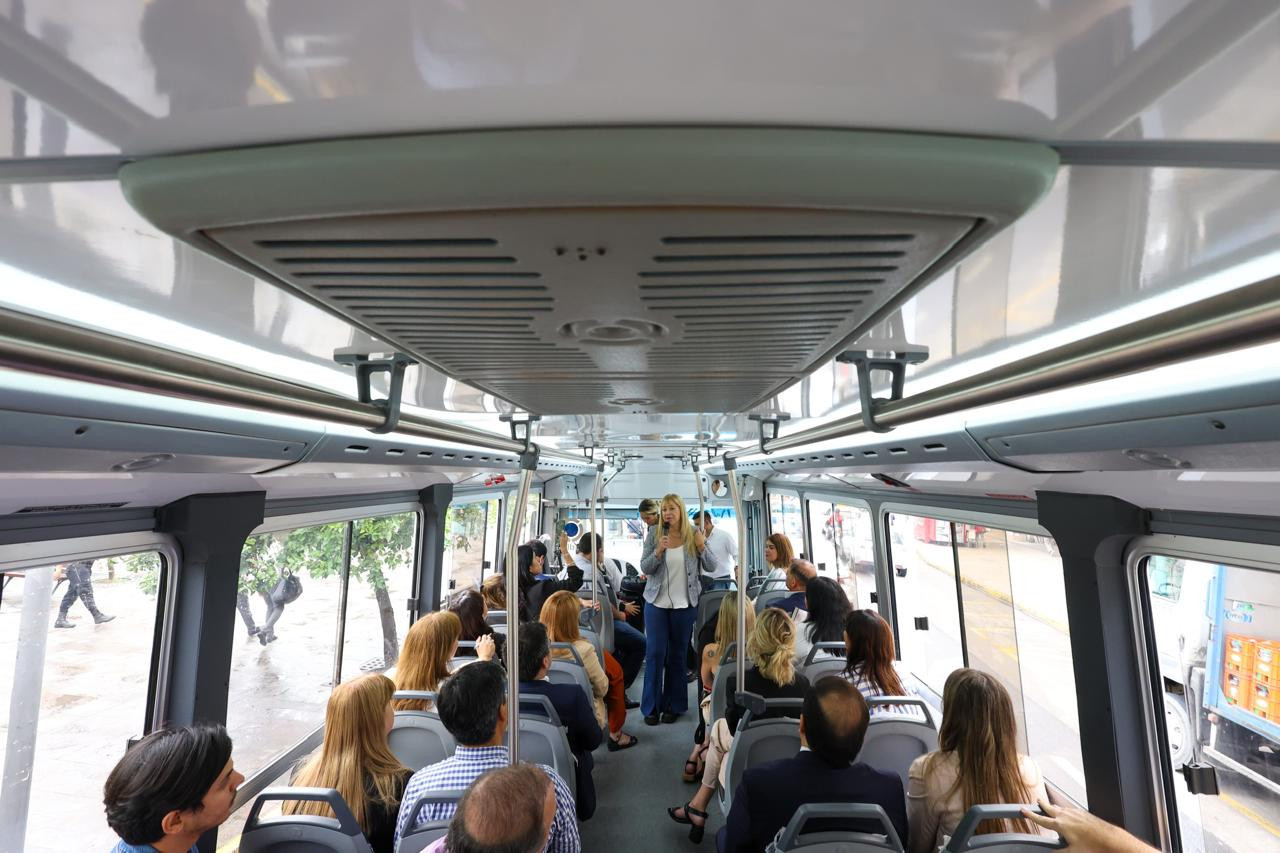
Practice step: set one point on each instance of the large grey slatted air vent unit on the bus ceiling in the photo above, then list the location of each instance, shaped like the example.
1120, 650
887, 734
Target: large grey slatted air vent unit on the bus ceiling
705, 270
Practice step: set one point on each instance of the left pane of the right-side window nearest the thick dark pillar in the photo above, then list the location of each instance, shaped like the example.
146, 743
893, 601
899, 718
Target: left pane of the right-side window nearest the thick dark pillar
929, 612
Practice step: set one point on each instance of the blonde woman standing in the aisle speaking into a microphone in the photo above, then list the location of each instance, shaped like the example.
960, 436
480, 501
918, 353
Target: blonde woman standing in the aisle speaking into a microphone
671, 609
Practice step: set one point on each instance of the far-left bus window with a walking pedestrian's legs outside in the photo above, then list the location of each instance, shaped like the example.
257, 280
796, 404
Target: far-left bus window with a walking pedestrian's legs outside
76, 649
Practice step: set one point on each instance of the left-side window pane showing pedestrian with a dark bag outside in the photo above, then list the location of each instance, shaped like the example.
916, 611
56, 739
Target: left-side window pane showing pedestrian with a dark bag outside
285, 641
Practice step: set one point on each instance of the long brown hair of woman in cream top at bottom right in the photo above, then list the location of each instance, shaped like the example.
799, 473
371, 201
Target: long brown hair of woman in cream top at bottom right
981, 731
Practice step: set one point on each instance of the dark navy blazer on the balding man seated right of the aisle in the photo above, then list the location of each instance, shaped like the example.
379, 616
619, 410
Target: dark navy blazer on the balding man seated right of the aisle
772, 792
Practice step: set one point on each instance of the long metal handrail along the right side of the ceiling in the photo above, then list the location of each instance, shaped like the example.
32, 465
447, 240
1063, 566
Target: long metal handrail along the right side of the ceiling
1241, 318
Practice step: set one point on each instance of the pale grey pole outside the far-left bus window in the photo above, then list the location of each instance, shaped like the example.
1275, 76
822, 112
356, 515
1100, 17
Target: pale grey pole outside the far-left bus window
29, 673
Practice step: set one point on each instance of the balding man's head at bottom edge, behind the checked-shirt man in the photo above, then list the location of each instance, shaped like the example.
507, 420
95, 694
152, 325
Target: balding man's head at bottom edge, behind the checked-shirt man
509, 810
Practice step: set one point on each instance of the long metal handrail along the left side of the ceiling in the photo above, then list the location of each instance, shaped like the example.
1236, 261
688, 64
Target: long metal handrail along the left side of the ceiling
44, 346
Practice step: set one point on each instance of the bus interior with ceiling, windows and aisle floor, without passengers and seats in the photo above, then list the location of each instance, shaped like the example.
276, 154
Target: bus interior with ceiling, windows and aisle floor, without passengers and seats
977, 304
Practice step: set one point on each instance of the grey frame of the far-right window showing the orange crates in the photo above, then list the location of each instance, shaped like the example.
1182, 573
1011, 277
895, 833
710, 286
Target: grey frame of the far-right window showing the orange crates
1242, 555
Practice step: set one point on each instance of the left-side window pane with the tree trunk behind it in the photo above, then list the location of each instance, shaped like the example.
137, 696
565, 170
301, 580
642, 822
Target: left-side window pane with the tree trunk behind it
382, 574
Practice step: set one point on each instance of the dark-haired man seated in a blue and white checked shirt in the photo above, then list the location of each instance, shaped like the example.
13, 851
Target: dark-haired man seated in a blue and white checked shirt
474, 709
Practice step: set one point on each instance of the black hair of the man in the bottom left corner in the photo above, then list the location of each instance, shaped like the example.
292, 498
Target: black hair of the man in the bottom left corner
167, 772
